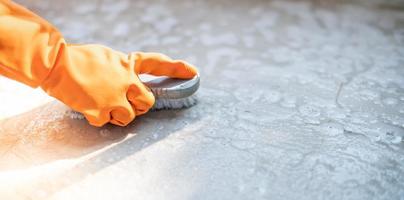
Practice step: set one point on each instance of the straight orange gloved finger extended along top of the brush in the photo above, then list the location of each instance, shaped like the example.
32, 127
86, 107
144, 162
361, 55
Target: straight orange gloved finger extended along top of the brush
161, 65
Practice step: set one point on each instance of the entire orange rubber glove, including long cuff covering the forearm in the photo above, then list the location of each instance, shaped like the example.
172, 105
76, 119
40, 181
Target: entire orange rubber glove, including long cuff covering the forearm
92, 79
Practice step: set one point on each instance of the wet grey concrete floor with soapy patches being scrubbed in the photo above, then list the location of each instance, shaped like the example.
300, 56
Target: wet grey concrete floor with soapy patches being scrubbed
298, 100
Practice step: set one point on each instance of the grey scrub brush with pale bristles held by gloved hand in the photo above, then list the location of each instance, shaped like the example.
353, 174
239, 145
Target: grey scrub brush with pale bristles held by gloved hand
171, 93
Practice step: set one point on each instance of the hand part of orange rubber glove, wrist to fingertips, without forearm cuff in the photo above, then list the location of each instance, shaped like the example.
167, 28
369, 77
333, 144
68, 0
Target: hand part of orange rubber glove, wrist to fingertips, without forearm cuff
103, 84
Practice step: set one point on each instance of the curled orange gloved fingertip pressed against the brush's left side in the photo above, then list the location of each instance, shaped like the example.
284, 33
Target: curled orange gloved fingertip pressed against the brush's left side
141, 98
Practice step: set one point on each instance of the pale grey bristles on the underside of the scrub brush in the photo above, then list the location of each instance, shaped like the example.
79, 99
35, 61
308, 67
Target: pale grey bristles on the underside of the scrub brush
161, 104
